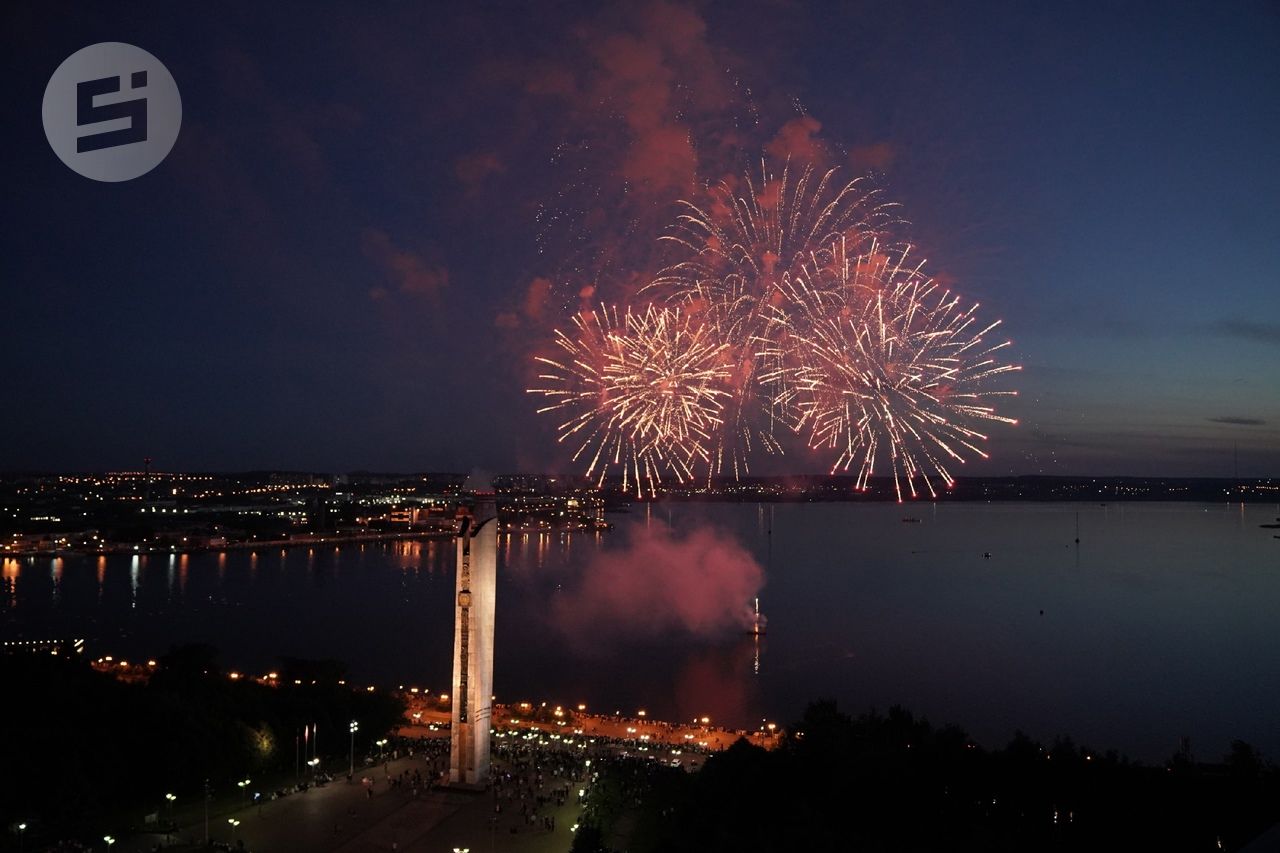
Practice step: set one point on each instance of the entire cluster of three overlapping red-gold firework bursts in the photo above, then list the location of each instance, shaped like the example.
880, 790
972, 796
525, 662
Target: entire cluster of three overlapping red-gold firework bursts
789, 311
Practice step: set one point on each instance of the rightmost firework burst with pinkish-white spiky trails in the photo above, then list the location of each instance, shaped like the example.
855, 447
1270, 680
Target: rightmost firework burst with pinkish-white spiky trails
885, 362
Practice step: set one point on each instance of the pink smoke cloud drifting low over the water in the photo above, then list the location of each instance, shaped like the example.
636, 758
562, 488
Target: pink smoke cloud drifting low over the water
701, 583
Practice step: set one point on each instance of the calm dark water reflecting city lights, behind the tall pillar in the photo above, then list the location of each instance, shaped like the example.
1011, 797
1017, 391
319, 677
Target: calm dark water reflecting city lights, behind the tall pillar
1162, 623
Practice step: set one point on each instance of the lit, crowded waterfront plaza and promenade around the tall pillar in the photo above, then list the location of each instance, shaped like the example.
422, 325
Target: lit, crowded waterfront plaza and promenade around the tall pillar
541, 769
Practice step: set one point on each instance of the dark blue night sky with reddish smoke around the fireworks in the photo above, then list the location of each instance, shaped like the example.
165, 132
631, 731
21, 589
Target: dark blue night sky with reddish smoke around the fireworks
377, 213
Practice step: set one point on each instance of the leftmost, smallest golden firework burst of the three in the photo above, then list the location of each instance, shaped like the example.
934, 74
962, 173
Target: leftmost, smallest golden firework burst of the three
643, 394
